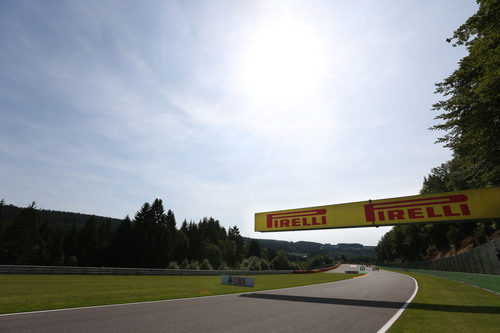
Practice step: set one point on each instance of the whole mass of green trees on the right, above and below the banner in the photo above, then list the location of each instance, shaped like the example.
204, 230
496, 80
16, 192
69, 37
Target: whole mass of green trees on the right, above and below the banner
470, 117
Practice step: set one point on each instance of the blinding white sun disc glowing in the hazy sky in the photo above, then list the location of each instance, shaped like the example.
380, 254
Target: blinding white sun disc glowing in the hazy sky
282, 63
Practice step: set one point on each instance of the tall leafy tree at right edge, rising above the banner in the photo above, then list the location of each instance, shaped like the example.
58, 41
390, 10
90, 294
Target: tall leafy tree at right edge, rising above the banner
470, 114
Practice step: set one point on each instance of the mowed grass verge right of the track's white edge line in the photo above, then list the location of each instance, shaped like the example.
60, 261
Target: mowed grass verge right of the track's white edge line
443, 305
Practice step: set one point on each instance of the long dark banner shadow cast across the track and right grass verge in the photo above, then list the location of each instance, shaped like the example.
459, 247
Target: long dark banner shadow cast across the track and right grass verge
377, 304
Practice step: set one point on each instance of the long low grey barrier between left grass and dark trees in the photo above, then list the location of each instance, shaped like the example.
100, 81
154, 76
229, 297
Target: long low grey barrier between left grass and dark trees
26, 269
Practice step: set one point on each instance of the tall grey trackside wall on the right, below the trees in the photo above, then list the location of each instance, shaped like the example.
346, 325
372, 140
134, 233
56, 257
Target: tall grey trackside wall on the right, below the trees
484, 259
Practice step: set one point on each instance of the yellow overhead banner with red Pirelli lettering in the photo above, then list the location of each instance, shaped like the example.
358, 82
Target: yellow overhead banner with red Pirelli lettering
482, 204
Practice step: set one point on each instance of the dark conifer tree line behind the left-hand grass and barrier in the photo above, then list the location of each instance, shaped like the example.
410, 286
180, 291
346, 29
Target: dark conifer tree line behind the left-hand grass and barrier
151, 239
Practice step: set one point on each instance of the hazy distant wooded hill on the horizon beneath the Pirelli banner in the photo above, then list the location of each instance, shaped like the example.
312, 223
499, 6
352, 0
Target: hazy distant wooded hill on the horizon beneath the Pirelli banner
349, 250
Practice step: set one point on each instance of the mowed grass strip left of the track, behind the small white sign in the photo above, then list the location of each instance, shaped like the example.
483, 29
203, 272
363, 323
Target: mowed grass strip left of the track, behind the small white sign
20, 293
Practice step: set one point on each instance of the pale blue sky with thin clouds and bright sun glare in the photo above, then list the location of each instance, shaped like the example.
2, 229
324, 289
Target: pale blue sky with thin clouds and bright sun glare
222, 108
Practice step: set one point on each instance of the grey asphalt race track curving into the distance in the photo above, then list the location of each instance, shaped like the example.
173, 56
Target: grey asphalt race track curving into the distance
362, 304
